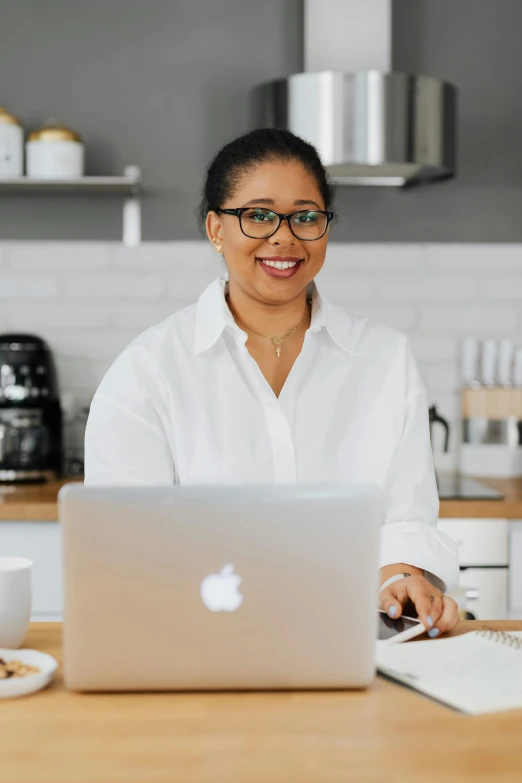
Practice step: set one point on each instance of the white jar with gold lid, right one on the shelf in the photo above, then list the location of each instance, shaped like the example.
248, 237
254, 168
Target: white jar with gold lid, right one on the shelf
54, 152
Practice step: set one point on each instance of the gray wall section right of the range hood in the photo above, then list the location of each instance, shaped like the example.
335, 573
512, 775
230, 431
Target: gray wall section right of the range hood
476, 45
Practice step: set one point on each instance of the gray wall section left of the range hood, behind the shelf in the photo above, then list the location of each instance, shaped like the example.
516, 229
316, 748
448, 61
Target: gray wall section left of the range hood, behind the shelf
162, 84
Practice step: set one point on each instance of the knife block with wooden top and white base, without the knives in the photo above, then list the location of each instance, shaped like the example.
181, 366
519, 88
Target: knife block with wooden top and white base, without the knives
491, 432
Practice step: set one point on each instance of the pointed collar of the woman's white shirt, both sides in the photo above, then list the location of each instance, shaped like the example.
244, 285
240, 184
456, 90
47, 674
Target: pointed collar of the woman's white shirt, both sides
213, 315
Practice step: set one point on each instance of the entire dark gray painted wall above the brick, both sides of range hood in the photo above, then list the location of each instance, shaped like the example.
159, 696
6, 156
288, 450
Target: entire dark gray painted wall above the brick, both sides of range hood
163, 84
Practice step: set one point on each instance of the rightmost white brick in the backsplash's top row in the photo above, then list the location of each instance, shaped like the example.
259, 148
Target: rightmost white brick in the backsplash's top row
474, 258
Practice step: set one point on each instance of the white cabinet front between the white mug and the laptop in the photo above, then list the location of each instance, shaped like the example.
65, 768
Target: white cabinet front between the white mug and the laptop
41, 542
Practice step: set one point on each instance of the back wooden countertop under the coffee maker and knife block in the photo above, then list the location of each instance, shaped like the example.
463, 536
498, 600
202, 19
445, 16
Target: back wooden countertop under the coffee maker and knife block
38, 501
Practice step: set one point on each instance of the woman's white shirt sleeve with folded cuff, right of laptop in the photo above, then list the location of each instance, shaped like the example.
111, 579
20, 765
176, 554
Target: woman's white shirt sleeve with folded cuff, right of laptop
410, 533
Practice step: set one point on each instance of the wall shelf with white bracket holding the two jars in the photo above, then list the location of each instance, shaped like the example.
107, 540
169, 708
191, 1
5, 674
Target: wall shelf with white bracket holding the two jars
127, 186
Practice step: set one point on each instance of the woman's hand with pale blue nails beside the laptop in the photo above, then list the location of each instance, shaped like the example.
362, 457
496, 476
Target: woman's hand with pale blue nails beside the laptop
437, 611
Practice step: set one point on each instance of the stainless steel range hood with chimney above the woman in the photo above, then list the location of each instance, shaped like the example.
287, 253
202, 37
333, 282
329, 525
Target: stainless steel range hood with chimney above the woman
369, 125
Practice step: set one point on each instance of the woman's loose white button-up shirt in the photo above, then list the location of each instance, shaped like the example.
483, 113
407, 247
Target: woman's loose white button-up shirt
186, 403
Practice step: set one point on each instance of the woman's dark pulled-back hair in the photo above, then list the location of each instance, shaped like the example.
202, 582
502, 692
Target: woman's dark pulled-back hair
248, 151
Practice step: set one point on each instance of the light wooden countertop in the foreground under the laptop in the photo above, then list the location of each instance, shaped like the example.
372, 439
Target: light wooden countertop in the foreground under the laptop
387, 734
